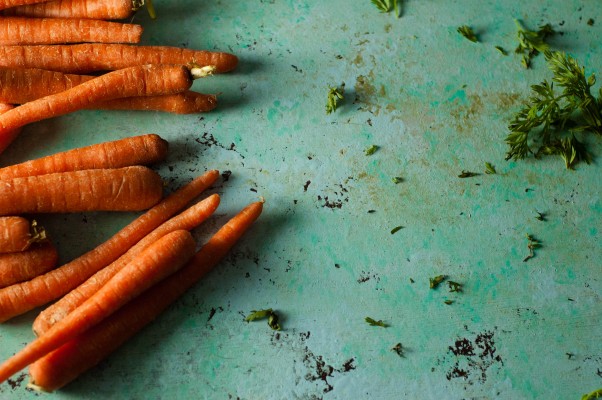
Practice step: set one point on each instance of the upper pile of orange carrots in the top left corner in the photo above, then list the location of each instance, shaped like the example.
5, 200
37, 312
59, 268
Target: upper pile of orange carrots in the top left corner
61, 56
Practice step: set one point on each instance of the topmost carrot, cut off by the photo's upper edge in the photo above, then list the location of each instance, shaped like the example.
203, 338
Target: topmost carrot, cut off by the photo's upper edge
94, 9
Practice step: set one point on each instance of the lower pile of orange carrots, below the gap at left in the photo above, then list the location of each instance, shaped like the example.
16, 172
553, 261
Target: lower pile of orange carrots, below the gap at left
108, 294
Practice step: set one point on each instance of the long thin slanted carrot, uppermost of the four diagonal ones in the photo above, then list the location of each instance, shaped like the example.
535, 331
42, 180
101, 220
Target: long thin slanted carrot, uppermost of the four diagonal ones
20, 298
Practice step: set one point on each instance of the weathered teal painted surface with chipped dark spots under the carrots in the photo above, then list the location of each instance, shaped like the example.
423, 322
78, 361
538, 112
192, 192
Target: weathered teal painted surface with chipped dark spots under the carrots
435, 104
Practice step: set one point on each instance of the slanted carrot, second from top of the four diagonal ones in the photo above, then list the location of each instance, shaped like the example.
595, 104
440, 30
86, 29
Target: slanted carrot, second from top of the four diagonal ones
187, 220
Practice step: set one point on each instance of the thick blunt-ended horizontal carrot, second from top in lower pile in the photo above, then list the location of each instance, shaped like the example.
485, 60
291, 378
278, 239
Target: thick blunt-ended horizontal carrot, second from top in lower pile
120, 189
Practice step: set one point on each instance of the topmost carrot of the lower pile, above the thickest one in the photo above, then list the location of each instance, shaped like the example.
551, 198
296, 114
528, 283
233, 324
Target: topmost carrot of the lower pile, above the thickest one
130, 151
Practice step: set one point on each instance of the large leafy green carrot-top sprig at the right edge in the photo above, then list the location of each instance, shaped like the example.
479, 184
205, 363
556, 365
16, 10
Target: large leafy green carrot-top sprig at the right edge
547, 123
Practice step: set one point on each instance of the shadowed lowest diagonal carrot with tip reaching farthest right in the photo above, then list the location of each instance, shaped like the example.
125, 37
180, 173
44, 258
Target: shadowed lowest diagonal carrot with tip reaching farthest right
66, 363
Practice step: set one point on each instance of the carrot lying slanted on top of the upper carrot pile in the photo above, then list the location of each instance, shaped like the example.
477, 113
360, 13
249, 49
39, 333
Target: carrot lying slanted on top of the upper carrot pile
145, 80
